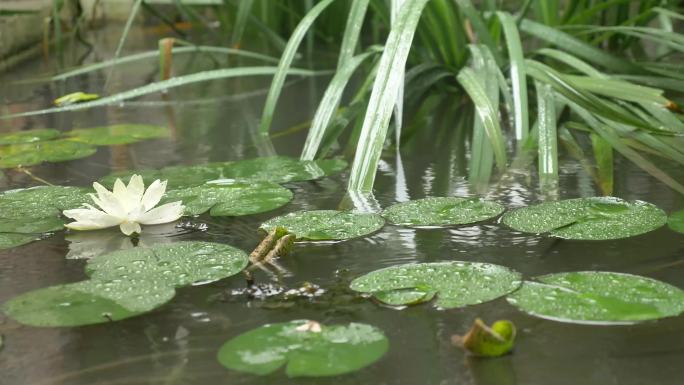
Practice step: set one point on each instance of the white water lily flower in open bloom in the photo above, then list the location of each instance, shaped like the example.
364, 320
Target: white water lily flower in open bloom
126, 206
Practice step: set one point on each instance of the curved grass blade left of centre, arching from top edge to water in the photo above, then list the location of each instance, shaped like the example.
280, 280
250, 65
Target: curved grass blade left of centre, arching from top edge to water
286, 62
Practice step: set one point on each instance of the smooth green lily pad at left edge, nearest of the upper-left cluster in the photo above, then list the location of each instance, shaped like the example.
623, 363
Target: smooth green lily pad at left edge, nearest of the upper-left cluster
28, 154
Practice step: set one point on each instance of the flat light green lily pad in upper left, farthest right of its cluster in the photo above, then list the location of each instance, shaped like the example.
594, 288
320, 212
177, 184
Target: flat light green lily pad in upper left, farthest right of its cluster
118, 134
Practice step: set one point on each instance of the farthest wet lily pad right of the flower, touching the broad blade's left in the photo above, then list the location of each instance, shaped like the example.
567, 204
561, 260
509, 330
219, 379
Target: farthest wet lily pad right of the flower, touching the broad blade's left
281, 169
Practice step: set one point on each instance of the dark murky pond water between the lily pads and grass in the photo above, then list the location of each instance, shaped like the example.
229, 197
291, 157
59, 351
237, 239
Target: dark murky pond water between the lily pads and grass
177, 343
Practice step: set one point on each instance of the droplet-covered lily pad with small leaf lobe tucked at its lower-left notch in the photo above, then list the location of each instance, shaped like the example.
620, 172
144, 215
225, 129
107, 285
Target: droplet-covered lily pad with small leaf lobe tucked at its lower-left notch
455, 284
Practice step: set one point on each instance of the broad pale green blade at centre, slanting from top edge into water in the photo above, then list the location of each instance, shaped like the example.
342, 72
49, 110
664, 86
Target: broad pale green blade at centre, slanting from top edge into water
383, 96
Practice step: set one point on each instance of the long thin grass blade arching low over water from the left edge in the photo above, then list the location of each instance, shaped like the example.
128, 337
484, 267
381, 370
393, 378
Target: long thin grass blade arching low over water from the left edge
178, 81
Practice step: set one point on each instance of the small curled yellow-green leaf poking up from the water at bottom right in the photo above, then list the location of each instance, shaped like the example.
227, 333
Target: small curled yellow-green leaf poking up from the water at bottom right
484, 341
